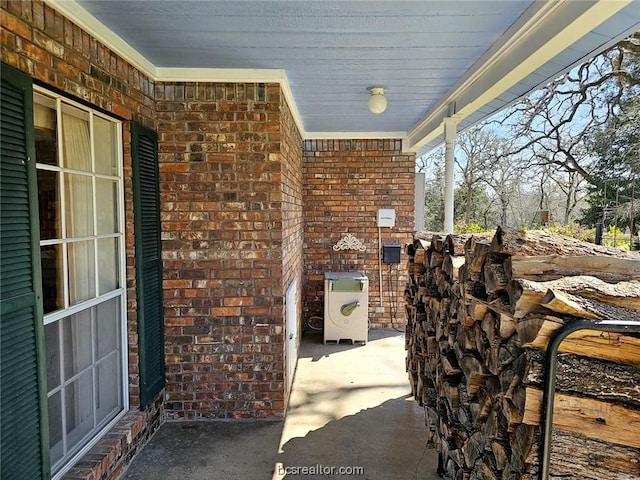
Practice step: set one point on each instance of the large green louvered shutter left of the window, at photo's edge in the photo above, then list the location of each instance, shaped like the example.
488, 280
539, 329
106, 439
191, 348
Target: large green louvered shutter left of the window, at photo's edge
24, 431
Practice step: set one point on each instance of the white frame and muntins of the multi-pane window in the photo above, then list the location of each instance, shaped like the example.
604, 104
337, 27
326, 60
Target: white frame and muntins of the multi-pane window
121, 245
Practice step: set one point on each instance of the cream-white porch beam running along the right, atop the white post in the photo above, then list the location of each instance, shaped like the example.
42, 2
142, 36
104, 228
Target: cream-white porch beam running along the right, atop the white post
548, 29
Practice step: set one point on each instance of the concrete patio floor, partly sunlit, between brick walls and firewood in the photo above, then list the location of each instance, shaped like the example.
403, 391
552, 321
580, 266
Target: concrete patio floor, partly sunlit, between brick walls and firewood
350, 408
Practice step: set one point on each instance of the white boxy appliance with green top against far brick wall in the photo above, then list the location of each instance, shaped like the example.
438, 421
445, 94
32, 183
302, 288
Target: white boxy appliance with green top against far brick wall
346, 306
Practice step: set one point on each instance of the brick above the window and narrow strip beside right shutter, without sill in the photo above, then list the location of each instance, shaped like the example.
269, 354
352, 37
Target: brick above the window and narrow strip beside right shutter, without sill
58, 54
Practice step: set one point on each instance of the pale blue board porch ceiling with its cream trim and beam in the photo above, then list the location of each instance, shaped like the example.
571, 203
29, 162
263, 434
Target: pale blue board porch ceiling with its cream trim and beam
435, 58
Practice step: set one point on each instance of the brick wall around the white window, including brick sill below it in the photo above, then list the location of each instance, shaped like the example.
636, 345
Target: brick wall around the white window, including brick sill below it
59, 55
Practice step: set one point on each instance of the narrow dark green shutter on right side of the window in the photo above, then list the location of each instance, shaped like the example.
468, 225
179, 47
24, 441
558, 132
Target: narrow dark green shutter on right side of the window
146, 197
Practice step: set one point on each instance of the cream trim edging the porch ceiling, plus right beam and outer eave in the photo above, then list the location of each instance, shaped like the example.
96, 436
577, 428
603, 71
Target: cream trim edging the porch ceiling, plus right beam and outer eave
547, 40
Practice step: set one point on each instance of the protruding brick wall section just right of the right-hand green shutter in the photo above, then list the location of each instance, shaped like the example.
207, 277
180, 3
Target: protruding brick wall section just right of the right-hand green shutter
222, 170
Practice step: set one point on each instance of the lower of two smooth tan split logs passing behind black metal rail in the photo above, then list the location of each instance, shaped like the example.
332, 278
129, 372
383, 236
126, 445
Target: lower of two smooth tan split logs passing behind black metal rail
592, 418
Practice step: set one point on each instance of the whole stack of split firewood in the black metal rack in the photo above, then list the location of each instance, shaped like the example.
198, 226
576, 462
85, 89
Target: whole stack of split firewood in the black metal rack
481, 310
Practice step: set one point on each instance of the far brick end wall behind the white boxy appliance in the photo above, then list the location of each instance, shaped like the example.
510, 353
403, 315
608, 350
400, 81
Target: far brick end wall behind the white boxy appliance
345, 183
